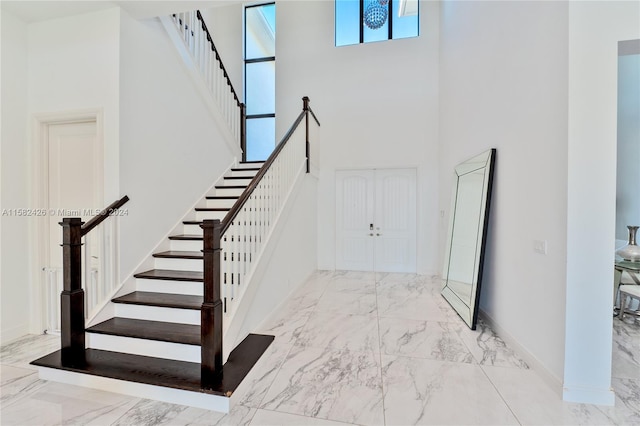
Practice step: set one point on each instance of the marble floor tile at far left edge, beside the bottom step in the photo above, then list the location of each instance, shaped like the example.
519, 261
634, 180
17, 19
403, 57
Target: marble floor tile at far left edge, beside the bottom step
28, 348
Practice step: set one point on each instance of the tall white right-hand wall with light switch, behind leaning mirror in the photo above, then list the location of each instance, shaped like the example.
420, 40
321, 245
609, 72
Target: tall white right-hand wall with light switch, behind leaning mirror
503, 84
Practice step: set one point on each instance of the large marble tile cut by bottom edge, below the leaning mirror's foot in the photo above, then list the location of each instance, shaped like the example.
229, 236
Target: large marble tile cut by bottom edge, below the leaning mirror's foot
423, 391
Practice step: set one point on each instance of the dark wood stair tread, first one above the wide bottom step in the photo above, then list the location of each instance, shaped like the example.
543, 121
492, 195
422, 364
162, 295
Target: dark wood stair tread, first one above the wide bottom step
151, 330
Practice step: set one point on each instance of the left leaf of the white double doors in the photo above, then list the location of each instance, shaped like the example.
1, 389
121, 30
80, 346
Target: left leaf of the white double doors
354, 220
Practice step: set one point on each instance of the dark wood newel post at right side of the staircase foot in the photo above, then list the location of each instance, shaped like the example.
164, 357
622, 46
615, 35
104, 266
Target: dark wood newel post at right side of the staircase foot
211, 312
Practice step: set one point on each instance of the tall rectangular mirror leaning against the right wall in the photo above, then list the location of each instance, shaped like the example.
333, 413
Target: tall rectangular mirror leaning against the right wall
467, 235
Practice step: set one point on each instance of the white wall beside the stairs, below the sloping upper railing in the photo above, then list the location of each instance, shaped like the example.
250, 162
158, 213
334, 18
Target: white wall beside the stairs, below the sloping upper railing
171, 150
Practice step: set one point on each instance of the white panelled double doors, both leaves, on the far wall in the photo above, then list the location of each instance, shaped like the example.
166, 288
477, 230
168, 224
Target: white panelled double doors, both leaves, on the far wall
376, 220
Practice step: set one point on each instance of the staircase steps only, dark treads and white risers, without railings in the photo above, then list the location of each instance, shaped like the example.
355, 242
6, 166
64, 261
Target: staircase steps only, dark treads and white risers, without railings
154, 338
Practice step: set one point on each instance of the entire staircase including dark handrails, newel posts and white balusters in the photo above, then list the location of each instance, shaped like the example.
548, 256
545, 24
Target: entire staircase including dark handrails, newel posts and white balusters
164, 339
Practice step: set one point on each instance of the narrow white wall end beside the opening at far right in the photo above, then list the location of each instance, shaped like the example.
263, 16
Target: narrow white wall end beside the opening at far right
595, 28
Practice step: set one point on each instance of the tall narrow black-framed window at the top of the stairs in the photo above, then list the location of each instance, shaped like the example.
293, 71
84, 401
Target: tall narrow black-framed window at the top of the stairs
260, 79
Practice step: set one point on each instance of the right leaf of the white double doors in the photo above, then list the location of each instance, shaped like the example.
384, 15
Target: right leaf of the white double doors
395, 221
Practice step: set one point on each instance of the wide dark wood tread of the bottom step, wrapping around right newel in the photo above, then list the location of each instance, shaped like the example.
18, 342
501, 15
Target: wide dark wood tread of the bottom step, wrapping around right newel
164, 372
